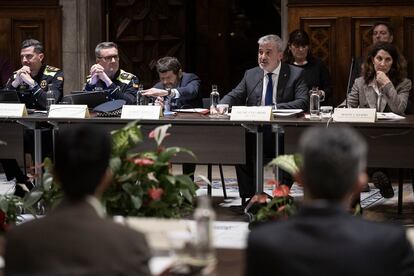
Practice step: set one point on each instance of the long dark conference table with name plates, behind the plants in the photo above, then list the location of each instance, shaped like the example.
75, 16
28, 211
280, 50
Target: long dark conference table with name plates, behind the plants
222, 141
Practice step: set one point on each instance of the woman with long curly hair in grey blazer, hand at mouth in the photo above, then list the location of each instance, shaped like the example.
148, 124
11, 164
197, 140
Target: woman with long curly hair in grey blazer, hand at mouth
383, 84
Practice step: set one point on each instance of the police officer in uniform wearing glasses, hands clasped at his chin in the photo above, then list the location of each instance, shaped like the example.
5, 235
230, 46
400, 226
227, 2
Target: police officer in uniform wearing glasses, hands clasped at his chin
106, 75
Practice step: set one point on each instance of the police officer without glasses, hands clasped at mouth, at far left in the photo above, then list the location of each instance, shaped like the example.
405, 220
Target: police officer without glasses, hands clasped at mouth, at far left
32, 80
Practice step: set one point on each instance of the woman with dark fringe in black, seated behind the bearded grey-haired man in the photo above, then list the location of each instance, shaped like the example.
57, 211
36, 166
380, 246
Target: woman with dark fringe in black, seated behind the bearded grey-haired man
298, 53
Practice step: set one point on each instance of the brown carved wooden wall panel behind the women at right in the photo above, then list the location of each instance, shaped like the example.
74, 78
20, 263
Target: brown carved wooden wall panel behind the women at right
348, 26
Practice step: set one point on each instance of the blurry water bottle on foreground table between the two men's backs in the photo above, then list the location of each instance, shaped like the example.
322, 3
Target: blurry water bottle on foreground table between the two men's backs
204, 217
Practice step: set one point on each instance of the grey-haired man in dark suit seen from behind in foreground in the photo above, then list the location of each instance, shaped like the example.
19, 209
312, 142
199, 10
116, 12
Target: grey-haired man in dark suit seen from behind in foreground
323, 238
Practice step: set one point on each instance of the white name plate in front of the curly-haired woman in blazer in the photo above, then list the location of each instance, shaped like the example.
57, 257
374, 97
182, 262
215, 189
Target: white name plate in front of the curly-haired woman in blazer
361, 115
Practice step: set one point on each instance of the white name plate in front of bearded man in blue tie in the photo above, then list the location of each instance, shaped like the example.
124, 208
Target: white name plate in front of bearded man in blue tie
251, 113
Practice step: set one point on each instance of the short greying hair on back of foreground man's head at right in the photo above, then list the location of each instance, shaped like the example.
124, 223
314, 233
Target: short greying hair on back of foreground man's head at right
332, 160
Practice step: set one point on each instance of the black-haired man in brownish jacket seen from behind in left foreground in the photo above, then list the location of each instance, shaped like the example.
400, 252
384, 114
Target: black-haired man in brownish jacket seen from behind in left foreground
75, 238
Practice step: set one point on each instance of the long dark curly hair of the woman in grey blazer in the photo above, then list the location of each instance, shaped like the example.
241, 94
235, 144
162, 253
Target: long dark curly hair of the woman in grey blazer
397, 71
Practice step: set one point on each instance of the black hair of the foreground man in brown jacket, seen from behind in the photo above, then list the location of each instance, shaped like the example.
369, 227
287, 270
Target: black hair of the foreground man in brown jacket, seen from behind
81, 158
